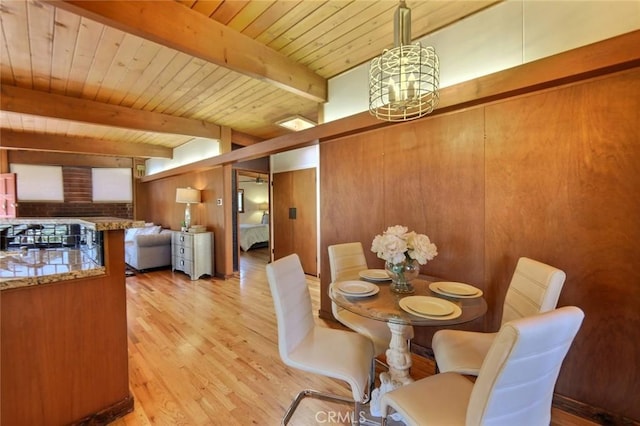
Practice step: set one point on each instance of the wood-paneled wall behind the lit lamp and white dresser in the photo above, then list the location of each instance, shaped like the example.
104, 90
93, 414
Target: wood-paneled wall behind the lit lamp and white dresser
214, 184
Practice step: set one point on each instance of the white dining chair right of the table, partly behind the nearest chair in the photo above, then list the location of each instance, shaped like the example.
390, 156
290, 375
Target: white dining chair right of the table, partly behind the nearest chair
534, 288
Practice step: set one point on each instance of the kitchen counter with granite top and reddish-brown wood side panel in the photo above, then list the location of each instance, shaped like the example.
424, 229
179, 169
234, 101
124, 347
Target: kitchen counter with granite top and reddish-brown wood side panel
64, 343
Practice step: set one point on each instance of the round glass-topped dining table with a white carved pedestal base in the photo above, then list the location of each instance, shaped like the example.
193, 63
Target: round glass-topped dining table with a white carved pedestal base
385, 305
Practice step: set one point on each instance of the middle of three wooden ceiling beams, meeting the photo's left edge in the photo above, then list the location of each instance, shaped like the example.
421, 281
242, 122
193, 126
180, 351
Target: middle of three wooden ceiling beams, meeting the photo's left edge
27, 101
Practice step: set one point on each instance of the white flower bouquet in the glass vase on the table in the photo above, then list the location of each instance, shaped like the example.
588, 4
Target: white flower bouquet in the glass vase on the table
397, 245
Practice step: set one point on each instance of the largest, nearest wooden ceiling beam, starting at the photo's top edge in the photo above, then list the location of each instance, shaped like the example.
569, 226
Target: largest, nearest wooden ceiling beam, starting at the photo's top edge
171, 24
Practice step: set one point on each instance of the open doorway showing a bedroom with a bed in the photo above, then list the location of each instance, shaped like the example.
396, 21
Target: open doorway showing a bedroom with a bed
252, 227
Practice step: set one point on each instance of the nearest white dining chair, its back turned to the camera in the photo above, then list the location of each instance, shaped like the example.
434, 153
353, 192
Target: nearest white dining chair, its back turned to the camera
514, 385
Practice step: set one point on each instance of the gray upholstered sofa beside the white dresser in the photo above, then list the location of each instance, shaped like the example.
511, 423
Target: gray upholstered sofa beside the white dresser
146, 248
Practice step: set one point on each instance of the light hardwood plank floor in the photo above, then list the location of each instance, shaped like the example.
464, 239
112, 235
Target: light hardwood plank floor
205, 352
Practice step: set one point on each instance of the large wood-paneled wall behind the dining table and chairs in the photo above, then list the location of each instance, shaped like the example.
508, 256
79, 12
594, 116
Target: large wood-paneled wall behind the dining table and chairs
553, 175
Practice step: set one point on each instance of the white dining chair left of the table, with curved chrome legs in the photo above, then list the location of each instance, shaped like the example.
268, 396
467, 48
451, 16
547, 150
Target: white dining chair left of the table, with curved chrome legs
303, 345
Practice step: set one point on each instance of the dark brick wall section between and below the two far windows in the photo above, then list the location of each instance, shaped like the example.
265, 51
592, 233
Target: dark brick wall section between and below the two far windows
78, 200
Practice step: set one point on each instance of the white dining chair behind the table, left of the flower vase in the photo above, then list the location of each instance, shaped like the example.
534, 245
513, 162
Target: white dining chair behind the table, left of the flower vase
346, 261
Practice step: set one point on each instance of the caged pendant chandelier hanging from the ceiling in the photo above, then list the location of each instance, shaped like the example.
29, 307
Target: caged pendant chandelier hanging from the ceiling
404, 81
